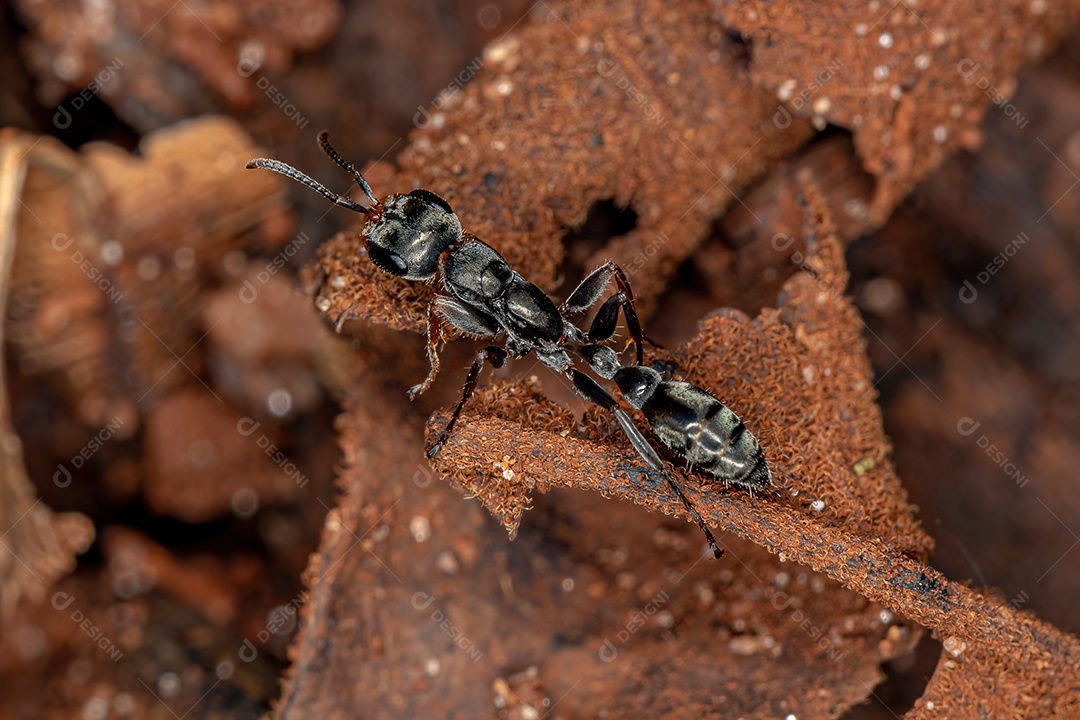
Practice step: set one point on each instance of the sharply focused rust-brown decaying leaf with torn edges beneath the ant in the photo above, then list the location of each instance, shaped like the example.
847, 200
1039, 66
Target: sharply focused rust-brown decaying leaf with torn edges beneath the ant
796, 374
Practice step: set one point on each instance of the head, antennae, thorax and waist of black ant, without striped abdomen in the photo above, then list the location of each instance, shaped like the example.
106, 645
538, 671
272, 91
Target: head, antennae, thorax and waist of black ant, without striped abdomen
418, 237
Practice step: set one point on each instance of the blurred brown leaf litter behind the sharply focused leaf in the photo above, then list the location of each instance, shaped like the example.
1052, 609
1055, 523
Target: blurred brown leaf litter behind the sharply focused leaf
968, 294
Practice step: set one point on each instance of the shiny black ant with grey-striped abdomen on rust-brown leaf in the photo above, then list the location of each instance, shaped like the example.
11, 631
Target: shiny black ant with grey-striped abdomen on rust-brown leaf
418, 237
